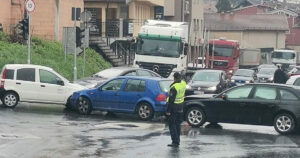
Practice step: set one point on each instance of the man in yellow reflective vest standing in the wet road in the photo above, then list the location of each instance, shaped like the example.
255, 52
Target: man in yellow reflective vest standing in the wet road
175, 108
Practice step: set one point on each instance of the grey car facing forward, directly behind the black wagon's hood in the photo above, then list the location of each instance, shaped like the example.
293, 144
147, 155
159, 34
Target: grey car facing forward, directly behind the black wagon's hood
207, 82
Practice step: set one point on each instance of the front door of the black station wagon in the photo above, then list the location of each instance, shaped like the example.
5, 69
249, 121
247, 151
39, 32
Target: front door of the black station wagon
229, 109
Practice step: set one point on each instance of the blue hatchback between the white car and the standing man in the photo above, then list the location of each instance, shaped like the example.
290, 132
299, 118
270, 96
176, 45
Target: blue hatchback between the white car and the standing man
143, 96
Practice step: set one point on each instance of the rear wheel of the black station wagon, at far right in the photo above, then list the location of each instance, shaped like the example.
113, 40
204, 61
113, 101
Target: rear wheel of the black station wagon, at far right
284, 123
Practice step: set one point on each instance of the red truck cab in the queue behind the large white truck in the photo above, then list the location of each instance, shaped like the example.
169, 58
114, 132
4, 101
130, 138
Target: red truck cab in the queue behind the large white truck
224, 55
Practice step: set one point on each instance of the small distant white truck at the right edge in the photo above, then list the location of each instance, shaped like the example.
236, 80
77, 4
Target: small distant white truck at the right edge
285, 57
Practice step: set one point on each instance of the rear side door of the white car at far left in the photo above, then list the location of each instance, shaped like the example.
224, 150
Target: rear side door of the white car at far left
26, 85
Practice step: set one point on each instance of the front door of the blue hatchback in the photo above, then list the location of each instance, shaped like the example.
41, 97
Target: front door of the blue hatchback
108, 96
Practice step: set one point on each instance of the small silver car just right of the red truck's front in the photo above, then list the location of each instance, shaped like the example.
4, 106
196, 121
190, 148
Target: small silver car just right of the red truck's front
242, 76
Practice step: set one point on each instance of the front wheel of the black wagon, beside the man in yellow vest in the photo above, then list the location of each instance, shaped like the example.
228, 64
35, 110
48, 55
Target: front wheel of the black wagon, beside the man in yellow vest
195, 117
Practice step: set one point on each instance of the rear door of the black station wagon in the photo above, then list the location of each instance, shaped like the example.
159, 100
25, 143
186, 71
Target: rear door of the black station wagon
259, 109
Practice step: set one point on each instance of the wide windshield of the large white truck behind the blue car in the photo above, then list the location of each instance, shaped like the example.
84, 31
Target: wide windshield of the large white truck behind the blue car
155, 47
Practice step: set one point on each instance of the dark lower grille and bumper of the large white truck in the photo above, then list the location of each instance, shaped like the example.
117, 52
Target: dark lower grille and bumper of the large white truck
162, 69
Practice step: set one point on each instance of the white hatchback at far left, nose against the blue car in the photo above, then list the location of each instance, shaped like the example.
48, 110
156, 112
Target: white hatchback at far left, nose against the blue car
34, 83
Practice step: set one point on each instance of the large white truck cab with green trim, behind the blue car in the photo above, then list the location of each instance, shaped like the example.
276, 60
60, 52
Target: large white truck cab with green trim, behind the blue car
162, 47
